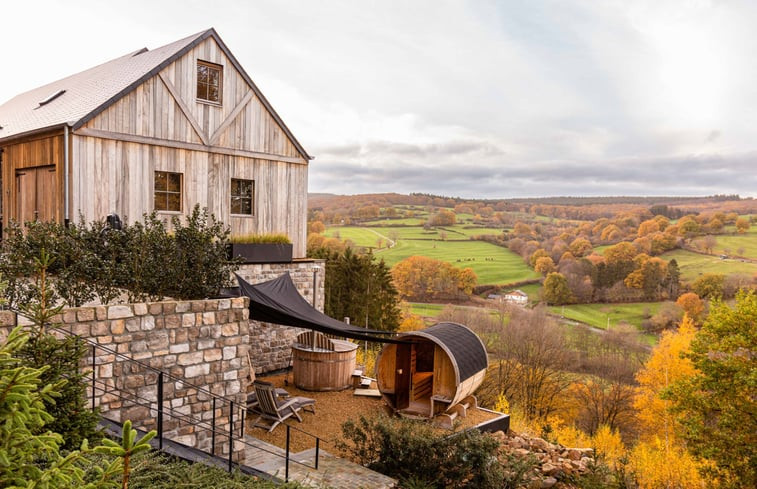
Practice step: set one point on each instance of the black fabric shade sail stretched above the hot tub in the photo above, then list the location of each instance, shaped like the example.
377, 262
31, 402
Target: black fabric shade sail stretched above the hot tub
278, 301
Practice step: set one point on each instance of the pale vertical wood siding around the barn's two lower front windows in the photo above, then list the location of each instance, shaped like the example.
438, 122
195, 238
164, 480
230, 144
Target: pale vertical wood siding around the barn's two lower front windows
122, 173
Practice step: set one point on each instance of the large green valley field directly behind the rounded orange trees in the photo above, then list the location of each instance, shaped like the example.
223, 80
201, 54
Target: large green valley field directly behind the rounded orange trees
502, 266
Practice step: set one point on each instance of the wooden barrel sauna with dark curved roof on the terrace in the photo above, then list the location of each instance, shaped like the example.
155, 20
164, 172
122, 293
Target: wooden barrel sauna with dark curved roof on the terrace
432, 371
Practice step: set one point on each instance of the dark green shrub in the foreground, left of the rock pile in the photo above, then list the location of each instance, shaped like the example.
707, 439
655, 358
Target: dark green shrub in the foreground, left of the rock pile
414, 452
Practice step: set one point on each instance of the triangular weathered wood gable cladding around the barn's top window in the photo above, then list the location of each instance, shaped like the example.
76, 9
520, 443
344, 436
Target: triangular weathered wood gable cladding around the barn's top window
152, 110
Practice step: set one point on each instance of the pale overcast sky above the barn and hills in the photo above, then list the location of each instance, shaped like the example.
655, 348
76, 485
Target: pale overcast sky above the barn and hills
476, 99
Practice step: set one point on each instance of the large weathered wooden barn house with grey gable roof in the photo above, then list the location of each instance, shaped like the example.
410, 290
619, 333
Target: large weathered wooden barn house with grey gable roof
158, 130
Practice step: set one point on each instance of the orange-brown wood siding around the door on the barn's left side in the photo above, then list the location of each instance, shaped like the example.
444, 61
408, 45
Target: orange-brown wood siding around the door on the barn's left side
38, 150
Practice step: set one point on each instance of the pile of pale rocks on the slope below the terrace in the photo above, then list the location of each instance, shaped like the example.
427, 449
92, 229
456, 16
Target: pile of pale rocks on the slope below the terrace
554, 462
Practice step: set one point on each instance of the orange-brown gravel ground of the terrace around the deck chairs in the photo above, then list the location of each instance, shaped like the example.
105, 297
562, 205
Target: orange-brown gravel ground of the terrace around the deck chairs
332, 409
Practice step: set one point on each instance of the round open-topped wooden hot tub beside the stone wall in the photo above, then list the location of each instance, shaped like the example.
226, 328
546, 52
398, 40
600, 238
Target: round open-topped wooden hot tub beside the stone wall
323, 367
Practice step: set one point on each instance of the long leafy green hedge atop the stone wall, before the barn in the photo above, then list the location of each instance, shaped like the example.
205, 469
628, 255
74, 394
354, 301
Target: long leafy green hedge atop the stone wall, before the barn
144, 259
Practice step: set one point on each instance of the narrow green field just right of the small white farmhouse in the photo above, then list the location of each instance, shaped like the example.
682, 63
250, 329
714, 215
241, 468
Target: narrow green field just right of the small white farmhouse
597, 315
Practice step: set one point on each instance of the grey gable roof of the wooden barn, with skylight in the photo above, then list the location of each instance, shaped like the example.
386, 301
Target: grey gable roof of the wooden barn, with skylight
88, 93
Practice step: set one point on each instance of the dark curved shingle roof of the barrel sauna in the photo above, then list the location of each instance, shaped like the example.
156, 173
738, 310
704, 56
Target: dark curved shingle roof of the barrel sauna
462, 344
